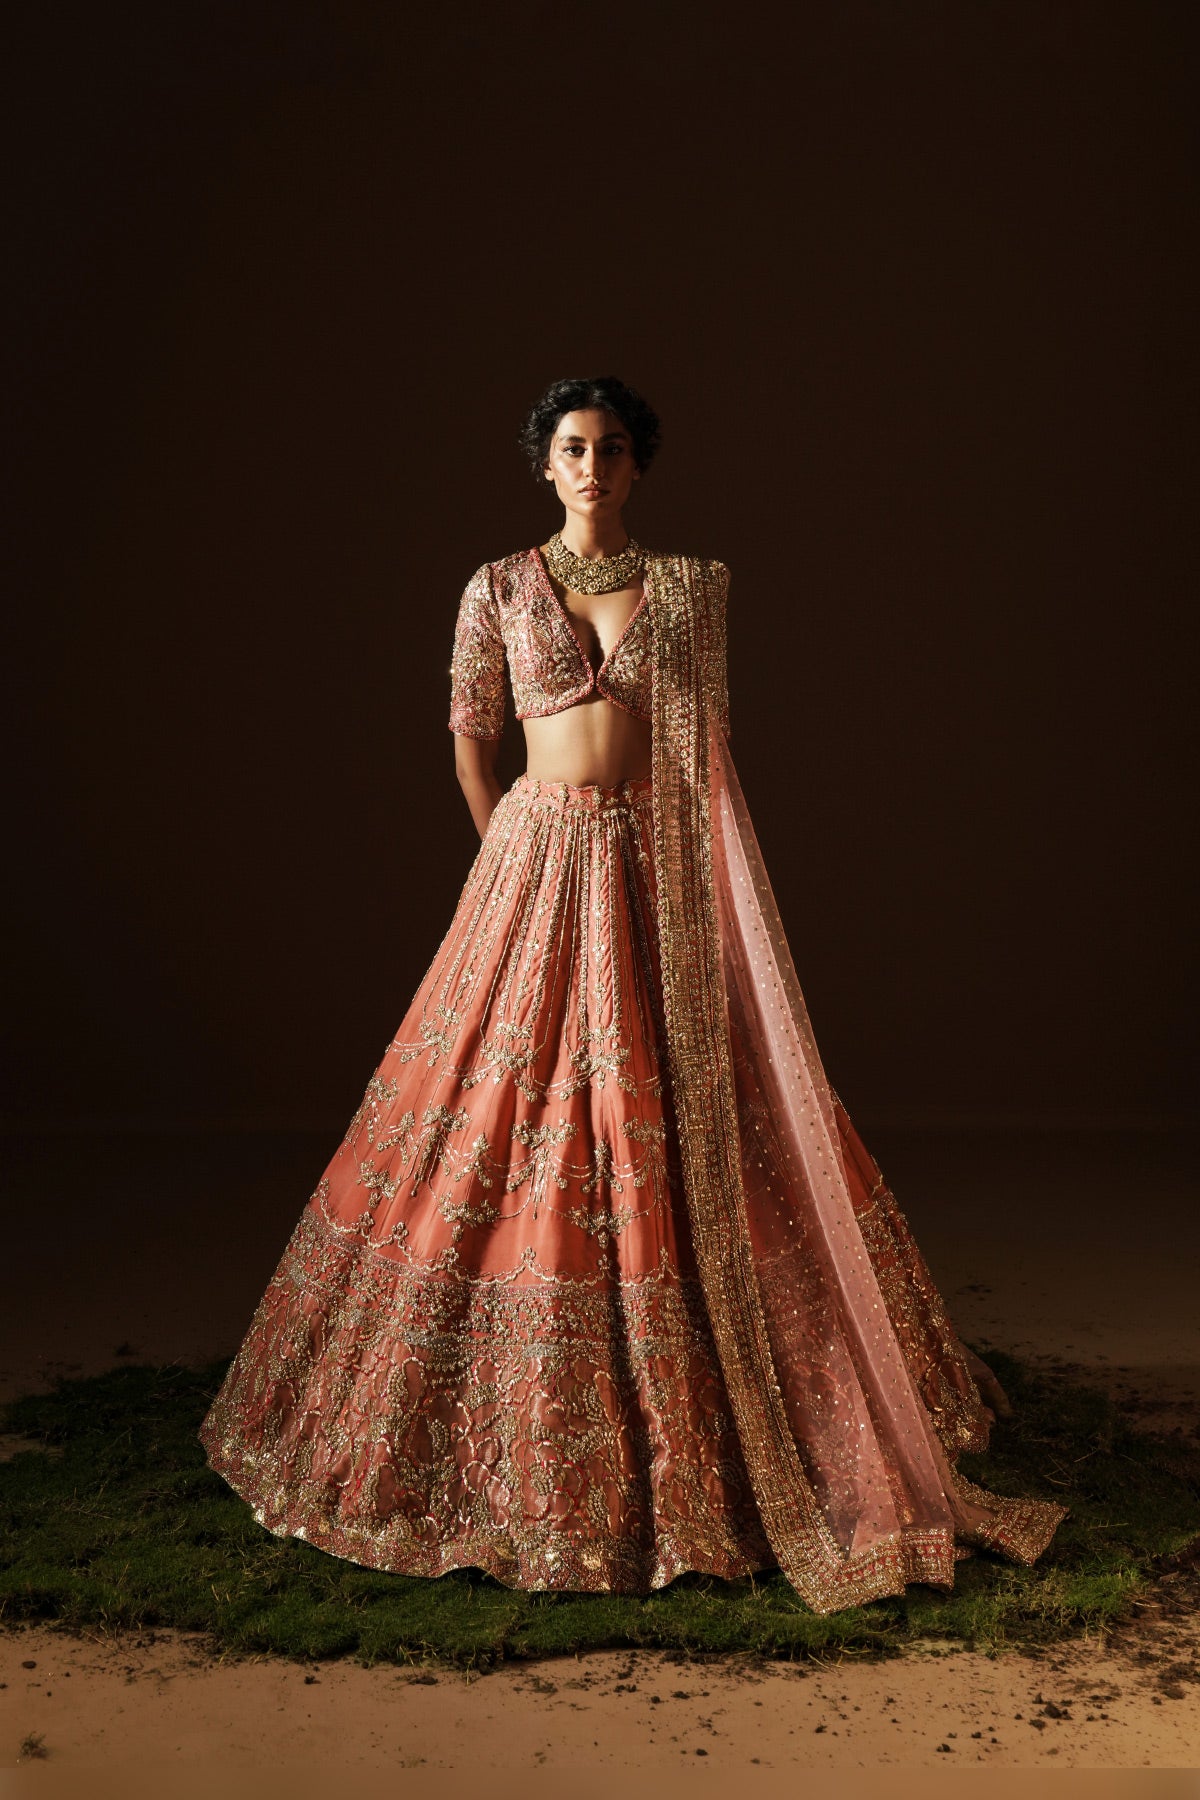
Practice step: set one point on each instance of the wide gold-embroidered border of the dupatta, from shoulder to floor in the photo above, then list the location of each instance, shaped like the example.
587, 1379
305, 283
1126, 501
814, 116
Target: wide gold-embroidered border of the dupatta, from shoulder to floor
690, 694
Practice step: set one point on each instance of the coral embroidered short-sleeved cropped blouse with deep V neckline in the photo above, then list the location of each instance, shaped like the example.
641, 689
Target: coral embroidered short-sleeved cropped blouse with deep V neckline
510, 611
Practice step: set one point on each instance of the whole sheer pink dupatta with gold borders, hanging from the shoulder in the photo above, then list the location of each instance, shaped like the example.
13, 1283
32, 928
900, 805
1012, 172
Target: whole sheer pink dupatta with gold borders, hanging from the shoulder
837, 1407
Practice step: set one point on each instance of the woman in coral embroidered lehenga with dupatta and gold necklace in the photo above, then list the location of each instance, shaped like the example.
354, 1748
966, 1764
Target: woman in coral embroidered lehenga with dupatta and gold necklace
602, 1284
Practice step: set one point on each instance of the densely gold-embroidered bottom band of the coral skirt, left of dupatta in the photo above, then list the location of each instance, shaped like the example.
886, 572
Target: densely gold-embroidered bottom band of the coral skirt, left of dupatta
555, 1435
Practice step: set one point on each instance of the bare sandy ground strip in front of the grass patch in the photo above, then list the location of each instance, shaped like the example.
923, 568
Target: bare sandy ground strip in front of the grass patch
165, 1700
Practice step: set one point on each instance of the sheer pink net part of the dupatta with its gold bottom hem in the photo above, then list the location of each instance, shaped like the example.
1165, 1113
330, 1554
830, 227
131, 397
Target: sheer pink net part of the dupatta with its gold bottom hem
875, 1387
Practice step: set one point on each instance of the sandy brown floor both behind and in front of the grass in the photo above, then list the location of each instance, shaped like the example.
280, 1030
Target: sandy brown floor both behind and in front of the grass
1079, 1252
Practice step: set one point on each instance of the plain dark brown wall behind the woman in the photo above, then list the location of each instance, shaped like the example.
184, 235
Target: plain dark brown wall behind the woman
911, 291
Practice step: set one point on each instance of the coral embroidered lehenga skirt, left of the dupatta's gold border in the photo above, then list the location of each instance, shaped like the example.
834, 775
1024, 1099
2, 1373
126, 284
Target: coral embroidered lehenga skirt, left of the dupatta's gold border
487, 1342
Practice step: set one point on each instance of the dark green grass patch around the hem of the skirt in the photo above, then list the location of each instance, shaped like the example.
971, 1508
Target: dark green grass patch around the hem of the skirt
130, 1527
